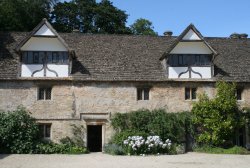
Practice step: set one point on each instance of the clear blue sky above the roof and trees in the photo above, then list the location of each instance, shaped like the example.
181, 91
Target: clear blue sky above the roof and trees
211, 17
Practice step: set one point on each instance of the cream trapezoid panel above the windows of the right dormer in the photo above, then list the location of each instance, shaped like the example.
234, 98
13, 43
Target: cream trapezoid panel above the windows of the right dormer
191, 48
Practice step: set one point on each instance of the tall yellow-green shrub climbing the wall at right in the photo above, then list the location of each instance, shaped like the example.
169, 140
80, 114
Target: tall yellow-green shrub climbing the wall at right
218, 118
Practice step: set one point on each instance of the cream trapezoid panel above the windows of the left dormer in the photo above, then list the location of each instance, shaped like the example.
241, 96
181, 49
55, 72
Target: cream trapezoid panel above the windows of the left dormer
43, 44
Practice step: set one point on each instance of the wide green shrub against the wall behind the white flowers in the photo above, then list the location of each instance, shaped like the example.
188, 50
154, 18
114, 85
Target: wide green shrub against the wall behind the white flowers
157, 122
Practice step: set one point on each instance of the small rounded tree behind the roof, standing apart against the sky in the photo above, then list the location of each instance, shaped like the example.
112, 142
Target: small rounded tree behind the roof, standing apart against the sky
143, 27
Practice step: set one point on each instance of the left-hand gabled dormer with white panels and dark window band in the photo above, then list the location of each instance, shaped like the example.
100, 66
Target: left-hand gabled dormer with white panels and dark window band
43, 53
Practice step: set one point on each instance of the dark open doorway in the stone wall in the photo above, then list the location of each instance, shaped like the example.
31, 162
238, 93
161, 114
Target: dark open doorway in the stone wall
94, 138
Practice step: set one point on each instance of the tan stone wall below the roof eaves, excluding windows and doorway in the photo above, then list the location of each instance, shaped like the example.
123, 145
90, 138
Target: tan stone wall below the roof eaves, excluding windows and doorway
70, 100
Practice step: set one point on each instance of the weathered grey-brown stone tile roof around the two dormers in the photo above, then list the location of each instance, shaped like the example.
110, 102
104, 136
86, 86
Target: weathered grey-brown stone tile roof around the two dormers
128, 57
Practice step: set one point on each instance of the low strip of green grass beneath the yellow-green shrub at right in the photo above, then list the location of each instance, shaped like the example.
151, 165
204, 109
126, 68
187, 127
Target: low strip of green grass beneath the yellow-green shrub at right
217, 150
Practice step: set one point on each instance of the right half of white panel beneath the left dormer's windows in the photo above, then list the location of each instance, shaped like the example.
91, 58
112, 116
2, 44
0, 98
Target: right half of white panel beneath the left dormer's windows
62, 70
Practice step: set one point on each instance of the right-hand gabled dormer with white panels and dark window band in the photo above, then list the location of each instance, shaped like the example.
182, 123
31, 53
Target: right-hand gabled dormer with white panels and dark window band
190, 56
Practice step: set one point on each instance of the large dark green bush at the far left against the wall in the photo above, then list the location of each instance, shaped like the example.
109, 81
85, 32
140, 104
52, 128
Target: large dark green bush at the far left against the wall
18, 132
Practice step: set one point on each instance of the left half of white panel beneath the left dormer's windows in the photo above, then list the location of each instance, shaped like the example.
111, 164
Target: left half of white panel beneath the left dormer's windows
28, 69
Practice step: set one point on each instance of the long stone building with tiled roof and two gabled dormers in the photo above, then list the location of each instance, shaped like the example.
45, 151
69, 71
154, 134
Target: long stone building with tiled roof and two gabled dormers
83, 79
